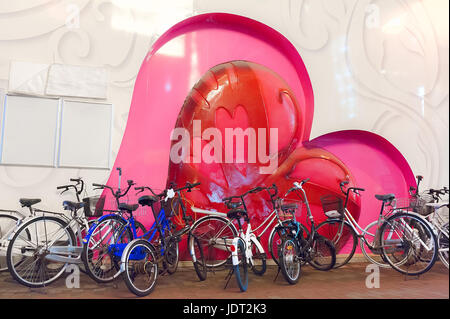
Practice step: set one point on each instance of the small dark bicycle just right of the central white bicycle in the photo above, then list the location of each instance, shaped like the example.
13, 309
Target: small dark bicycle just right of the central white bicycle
299, 246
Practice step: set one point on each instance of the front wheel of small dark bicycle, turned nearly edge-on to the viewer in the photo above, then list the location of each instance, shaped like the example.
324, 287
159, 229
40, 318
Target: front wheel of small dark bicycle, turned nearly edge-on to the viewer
290, 265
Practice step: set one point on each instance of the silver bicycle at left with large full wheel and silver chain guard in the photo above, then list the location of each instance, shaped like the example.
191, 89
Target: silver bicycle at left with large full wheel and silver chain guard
45, 245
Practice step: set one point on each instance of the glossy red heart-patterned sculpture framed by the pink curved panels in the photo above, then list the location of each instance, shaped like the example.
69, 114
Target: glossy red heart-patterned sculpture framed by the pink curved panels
242, 94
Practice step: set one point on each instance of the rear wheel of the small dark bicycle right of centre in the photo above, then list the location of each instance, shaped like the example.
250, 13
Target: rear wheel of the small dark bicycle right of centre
322, 248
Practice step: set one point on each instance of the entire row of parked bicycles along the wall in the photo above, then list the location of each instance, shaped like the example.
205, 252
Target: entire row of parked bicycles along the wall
37, 247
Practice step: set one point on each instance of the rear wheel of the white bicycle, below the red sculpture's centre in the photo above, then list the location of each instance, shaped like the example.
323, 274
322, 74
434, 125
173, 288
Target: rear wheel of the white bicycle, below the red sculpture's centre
206, 229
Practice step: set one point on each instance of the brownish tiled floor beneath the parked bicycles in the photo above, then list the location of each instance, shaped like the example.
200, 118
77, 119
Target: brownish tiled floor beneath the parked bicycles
346, 282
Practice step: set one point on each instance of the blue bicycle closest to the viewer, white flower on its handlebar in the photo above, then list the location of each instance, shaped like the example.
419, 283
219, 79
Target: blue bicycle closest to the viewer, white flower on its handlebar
142, 256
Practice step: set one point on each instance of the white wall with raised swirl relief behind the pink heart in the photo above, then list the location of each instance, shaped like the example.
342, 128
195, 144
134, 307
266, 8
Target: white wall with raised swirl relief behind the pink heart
380, 66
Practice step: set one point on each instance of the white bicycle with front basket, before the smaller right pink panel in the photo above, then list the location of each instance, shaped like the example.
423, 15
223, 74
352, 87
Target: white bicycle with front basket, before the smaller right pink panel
397, 237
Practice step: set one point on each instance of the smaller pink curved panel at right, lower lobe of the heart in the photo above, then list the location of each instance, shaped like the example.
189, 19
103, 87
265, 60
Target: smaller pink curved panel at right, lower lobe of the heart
374, 162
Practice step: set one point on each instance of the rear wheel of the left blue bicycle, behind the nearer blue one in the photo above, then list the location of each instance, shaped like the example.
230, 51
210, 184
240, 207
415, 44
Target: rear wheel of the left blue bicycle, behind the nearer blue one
93, 269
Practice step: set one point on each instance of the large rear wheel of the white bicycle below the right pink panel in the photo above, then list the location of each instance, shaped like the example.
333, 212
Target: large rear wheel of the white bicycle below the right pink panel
408, 244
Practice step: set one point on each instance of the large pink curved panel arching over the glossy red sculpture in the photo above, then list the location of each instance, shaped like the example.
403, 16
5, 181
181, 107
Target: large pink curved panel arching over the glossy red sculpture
176, 61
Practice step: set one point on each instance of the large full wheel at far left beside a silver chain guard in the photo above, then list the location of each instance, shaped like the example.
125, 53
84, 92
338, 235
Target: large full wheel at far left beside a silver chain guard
36, 269
